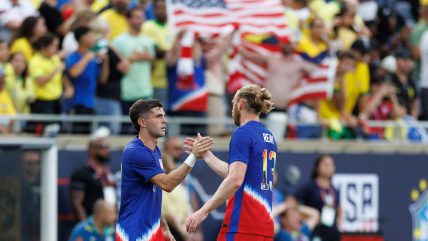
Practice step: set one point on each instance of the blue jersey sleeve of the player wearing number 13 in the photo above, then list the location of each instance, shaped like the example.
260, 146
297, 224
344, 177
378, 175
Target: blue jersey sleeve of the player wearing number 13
240, 146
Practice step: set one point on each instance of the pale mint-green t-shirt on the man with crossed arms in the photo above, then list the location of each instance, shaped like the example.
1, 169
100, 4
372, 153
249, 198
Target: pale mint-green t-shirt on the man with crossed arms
135, 84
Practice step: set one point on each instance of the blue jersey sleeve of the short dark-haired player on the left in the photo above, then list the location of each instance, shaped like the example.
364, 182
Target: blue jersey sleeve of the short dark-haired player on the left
144, 165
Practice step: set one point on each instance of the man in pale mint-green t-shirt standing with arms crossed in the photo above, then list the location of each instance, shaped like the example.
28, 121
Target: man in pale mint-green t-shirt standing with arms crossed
140, 51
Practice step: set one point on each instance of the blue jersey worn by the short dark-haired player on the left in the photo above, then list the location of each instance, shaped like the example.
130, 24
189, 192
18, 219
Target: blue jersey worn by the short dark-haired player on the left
141, 200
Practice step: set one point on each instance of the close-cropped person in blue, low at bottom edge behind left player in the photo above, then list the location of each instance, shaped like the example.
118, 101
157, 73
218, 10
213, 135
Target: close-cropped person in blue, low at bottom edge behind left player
99, 226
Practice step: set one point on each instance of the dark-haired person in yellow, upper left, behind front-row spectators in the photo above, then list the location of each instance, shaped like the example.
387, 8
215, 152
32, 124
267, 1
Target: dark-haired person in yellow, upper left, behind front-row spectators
31, 30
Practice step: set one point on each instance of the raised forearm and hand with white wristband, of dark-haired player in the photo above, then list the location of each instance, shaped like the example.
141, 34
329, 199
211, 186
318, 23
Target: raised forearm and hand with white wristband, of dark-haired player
168, 182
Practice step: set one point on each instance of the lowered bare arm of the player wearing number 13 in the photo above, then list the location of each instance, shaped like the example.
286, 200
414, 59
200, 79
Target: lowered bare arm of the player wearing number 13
227, 188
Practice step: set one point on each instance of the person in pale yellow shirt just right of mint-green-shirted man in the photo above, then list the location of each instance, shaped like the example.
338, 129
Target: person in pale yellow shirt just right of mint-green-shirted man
159, 31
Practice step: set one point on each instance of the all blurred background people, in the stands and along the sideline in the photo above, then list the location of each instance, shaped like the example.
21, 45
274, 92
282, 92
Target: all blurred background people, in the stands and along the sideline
96, 57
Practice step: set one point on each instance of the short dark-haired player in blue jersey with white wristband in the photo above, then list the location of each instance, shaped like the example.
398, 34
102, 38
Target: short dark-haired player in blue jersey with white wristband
143, 178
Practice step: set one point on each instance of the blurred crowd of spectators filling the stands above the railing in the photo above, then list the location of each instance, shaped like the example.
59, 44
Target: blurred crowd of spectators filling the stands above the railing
96, 57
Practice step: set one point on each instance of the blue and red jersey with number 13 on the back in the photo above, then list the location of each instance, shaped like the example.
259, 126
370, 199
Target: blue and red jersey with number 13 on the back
249, 211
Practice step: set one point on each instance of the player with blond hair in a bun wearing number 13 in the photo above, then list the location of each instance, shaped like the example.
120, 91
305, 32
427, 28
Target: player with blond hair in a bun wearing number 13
248, 175
